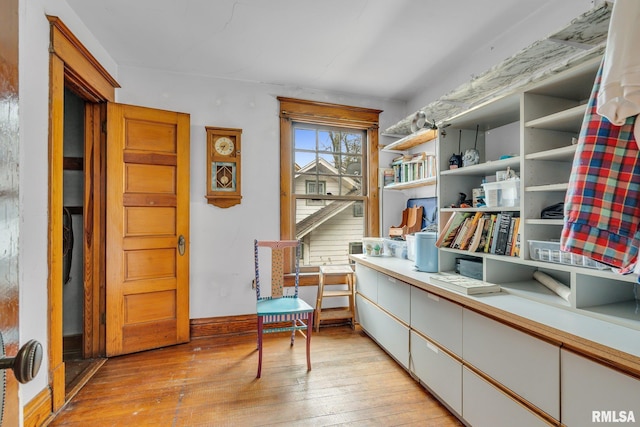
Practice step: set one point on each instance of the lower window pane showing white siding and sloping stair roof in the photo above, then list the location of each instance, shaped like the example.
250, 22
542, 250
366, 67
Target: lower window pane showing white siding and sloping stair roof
329, 231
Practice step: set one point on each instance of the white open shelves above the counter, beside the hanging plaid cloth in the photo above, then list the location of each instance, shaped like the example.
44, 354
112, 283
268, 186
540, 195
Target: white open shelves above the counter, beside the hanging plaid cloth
545, 123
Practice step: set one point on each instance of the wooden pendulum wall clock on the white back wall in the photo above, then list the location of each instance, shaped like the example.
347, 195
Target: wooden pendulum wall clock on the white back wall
223, 166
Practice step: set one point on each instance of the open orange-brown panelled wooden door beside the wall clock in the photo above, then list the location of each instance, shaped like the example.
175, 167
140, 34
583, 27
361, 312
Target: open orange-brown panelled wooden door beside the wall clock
147, 232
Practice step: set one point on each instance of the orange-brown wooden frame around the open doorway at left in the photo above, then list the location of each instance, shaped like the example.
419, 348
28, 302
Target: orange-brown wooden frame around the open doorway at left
71, 65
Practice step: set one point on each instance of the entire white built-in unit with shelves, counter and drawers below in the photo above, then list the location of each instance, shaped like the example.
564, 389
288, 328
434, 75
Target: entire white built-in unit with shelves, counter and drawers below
529, 353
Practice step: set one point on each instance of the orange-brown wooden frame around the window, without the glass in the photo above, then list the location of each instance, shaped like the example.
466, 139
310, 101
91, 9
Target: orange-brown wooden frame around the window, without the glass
322, 113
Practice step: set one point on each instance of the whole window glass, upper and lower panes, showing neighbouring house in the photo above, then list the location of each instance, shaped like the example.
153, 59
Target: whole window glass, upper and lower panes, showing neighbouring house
328, 162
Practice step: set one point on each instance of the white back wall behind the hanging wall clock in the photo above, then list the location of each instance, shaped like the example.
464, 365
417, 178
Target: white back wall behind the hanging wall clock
222, 239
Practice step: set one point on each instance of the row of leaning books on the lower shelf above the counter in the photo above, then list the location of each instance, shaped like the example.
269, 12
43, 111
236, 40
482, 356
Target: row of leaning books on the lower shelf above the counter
495, 233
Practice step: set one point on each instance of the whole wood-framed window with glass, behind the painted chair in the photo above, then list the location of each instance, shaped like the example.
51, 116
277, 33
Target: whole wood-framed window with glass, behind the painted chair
329, 182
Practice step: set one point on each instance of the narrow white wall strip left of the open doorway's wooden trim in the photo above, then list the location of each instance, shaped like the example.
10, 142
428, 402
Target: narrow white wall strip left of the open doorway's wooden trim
34, 123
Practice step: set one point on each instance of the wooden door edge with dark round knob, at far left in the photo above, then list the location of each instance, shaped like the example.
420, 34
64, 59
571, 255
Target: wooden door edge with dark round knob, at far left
9, 205
